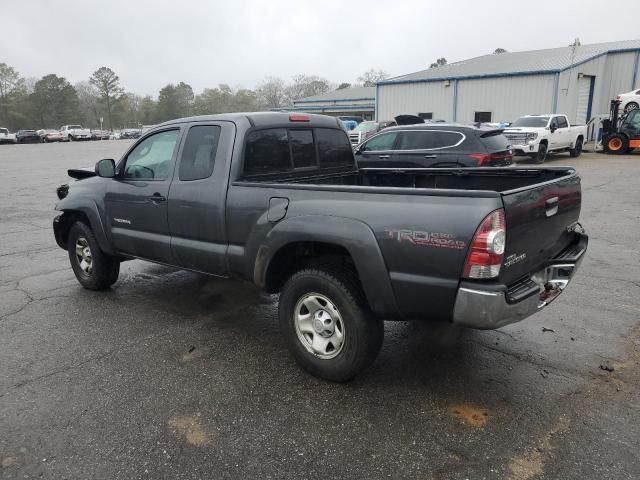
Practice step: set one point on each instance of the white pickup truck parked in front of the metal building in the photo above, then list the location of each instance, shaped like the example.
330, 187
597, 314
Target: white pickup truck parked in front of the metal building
537, 135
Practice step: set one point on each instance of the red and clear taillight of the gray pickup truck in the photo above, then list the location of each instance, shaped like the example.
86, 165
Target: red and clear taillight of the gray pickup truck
487, 248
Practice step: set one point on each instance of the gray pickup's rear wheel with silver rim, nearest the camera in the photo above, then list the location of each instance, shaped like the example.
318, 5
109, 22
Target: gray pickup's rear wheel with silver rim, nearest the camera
327, 324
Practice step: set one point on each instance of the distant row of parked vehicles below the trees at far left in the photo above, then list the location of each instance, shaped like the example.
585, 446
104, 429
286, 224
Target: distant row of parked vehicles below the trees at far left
66, 133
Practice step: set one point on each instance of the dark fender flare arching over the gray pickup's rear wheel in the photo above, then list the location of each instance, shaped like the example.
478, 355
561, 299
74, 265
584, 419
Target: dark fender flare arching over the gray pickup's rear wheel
353, 235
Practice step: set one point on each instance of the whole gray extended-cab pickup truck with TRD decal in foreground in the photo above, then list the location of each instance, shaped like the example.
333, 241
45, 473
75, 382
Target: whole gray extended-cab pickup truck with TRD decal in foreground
277, 199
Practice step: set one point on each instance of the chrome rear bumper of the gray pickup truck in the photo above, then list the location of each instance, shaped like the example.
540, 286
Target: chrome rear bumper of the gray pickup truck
486, 309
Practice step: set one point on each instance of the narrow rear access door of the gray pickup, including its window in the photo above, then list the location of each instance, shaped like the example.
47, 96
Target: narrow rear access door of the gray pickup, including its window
197, 197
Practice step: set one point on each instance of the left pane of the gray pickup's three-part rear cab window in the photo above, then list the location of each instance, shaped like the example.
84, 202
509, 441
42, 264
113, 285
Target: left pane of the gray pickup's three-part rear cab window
267, 152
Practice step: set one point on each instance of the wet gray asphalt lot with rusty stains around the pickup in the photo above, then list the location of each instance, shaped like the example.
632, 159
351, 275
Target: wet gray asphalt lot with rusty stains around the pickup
172, 374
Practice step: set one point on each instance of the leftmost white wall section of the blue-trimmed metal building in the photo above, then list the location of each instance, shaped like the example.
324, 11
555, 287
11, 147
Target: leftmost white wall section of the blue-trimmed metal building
414, 98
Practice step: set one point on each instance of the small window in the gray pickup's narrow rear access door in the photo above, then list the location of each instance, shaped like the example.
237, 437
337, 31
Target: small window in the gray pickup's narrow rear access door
199, 152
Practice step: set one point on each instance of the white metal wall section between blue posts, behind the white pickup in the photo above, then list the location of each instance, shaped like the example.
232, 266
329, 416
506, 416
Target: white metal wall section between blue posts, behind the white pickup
507, 98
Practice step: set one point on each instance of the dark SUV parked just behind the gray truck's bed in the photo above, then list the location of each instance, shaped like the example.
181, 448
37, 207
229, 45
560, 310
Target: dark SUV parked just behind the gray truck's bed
435, 145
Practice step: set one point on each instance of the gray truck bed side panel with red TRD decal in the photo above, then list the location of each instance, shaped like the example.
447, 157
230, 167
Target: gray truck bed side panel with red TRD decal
423, 238
